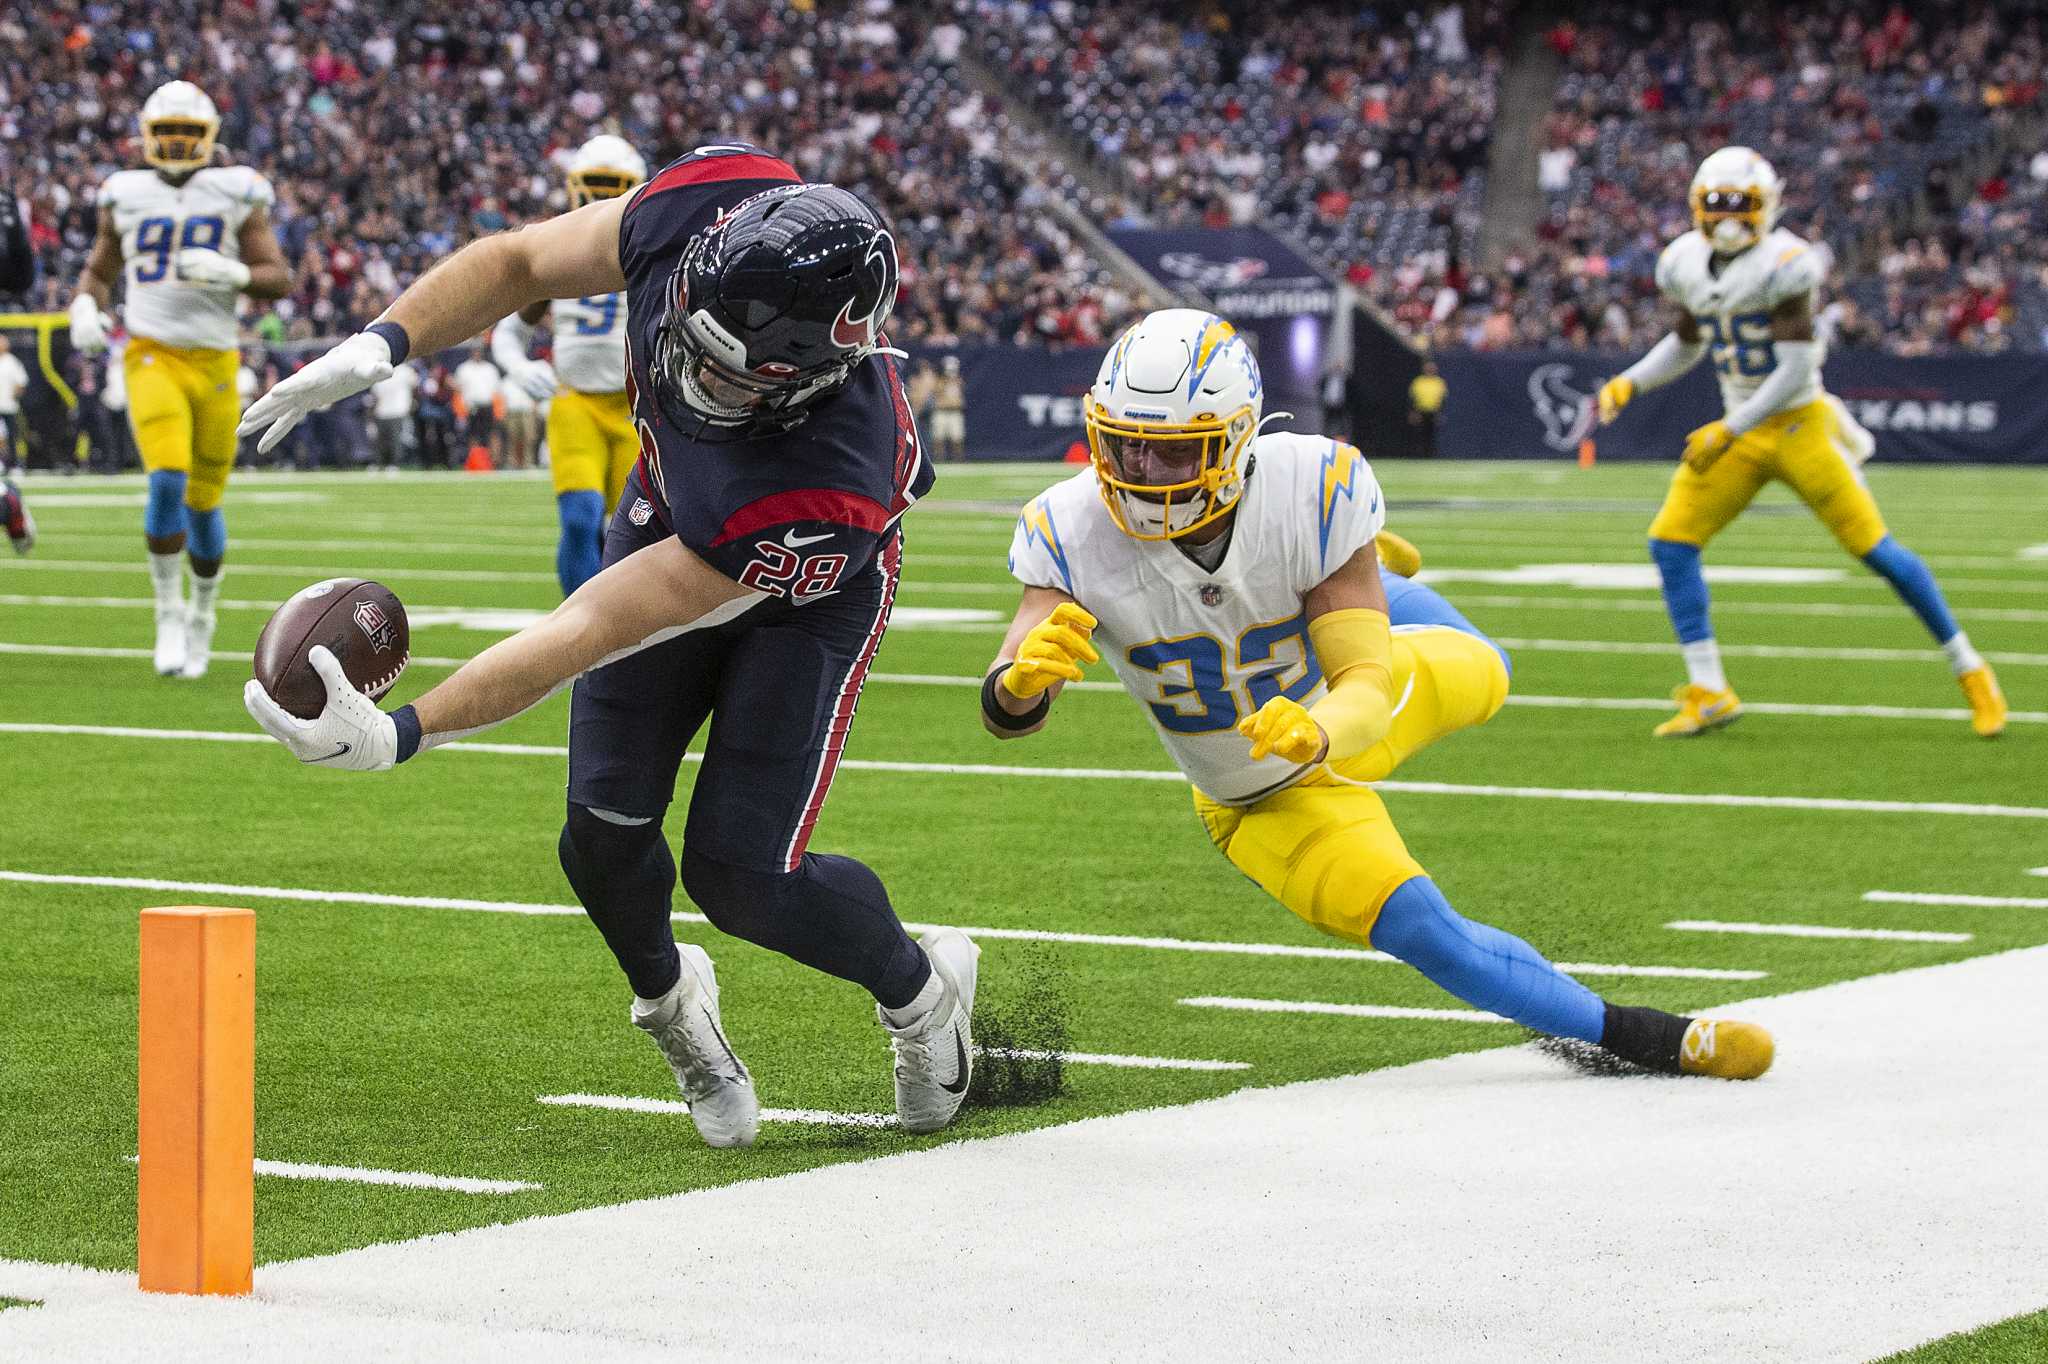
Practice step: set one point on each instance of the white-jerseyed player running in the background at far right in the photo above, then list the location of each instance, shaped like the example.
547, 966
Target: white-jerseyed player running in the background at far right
1746, 292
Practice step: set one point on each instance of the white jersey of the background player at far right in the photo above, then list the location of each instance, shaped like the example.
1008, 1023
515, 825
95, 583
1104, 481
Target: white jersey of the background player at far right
1734, 306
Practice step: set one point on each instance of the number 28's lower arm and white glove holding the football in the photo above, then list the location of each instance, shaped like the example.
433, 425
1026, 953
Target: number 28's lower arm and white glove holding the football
644, 599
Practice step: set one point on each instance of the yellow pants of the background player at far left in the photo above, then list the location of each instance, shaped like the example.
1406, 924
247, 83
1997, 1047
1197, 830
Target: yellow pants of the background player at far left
183, 409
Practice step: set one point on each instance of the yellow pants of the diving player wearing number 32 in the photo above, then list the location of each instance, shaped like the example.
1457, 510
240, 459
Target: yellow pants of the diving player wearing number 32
1326, 847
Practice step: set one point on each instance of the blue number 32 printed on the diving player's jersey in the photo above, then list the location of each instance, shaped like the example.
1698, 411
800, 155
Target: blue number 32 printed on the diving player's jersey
1203, 693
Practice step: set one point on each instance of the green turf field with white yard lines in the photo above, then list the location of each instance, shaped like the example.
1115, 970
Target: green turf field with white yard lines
419, 1039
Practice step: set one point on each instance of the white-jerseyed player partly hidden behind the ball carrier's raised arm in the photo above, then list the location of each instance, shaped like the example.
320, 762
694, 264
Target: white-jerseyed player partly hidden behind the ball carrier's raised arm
591, 439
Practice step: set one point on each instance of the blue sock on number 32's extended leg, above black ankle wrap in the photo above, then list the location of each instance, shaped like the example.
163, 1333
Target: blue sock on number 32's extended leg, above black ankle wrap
1484, 966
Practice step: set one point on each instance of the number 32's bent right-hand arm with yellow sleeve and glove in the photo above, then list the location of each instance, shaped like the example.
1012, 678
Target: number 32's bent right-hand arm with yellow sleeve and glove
1351, 636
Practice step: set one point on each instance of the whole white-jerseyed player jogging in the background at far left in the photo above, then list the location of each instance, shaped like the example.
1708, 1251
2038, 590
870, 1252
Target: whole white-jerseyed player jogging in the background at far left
187, 239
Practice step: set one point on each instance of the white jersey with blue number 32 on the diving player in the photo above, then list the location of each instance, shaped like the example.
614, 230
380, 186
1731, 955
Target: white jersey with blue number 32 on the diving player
1203, 650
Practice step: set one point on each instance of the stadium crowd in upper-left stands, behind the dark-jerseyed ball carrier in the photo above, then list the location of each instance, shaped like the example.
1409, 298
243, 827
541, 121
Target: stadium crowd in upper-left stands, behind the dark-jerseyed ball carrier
396, 134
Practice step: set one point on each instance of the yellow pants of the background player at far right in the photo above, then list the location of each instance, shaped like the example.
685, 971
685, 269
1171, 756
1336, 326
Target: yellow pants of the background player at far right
1805, 450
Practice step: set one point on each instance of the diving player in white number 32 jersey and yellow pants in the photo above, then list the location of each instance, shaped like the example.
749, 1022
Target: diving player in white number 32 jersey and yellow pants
1234, 583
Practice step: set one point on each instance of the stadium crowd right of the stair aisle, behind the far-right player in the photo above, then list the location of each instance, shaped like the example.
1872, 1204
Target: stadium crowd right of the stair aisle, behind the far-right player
1875, 116
